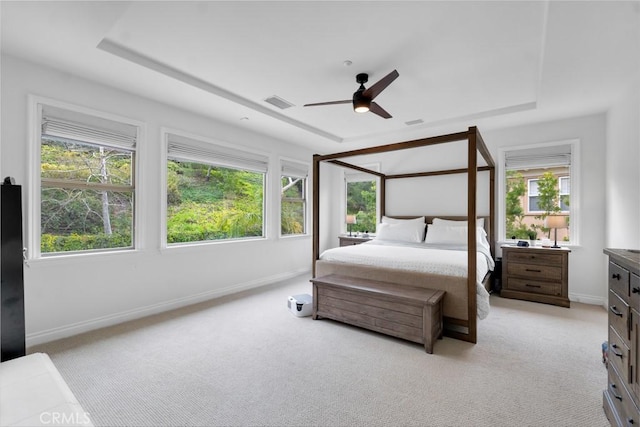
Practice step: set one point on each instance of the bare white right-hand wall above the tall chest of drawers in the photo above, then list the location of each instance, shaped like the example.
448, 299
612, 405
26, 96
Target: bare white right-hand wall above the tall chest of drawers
623, 172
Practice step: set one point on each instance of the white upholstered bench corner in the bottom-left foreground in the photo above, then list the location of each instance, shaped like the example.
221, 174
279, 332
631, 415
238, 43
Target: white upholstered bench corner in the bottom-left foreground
33, 393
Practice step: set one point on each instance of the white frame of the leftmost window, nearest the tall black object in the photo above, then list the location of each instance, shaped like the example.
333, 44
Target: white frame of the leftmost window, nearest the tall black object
34, 181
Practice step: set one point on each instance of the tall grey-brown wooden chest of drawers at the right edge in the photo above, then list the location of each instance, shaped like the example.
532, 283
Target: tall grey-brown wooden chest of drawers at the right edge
621, 397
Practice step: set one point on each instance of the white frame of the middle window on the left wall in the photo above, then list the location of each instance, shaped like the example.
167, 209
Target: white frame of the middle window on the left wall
165, 133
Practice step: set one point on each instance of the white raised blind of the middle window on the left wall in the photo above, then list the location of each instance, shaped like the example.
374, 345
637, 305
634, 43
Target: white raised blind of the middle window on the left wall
191, 150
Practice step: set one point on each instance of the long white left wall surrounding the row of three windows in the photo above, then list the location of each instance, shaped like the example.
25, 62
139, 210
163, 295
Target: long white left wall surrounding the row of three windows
75, 294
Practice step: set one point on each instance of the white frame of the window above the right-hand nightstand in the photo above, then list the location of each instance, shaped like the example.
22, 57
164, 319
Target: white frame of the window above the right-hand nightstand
574, 198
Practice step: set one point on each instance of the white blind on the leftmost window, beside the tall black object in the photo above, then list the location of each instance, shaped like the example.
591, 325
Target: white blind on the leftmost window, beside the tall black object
72, 125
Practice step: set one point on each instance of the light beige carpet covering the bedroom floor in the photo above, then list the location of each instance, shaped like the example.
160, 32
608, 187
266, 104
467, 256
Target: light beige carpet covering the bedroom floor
245, 360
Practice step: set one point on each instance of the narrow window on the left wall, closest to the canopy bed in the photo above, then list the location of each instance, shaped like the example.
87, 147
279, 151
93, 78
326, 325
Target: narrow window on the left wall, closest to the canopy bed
293, 198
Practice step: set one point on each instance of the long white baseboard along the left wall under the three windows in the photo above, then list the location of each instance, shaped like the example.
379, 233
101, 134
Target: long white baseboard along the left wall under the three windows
124, 316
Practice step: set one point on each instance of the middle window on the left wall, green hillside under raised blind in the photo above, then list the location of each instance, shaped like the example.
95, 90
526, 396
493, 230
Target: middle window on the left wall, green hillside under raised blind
214, 192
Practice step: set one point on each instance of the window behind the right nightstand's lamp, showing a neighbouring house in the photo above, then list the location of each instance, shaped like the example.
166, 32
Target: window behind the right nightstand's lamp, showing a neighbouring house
537, 183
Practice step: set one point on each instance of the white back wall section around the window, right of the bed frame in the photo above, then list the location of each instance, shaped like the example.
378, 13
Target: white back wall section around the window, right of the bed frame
587, 282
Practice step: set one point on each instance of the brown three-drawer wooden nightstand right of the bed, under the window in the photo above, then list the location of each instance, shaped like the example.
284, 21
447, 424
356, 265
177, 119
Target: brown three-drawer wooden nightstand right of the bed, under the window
536, 274
